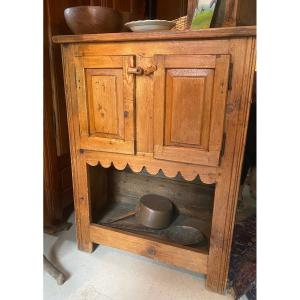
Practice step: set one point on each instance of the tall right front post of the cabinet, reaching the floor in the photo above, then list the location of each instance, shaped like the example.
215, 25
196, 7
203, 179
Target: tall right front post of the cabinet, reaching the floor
243, 55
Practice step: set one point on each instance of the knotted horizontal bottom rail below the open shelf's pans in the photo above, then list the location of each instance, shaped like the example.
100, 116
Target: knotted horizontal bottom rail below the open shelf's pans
180, 256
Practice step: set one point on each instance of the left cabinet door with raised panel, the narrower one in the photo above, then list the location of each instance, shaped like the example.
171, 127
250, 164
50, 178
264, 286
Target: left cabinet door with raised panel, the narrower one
105, 95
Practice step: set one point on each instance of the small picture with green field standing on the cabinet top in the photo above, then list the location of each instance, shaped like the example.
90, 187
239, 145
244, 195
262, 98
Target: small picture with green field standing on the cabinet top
202, 14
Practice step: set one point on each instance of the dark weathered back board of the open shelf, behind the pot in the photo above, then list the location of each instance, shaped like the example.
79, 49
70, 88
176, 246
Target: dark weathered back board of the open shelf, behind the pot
129, 187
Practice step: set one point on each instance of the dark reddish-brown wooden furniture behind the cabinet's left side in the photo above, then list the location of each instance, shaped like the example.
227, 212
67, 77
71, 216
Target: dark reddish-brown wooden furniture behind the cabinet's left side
58, 197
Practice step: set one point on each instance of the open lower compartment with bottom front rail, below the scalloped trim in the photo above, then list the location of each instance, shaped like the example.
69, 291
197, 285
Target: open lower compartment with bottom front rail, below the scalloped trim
120, 191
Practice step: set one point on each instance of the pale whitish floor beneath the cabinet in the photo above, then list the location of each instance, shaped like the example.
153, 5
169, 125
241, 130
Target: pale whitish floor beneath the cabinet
110, 274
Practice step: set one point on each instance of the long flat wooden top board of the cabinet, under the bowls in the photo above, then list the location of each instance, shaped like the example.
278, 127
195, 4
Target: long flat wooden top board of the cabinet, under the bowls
211, 33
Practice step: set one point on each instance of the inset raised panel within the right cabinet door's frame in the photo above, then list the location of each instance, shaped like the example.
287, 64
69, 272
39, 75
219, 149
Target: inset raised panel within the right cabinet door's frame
188, 107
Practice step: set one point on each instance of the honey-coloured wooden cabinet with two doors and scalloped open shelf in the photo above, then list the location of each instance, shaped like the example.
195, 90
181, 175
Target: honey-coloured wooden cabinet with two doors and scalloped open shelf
164, 103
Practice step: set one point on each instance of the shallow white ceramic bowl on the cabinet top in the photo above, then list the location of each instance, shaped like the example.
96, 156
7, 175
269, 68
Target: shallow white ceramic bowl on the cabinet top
150, 25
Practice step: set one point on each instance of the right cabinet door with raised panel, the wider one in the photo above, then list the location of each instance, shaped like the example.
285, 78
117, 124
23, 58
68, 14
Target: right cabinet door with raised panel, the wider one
189, 106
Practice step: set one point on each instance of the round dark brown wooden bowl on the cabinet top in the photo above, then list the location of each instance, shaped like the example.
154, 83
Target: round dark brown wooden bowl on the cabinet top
93, 19
